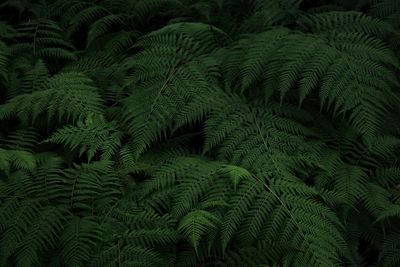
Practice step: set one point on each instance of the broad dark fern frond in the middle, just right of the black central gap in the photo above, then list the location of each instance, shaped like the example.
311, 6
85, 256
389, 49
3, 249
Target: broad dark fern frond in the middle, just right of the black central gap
265, 132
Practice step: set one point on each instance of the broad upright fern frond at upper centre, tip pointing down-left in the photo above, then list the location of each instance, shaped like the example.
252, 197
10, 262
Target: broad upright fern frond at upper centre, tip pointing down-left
168, 80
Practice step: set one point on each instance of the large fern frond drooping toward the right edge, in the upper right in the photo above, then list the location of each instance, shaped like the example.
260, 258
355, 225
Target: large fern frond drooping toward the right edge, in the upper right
361, 92
